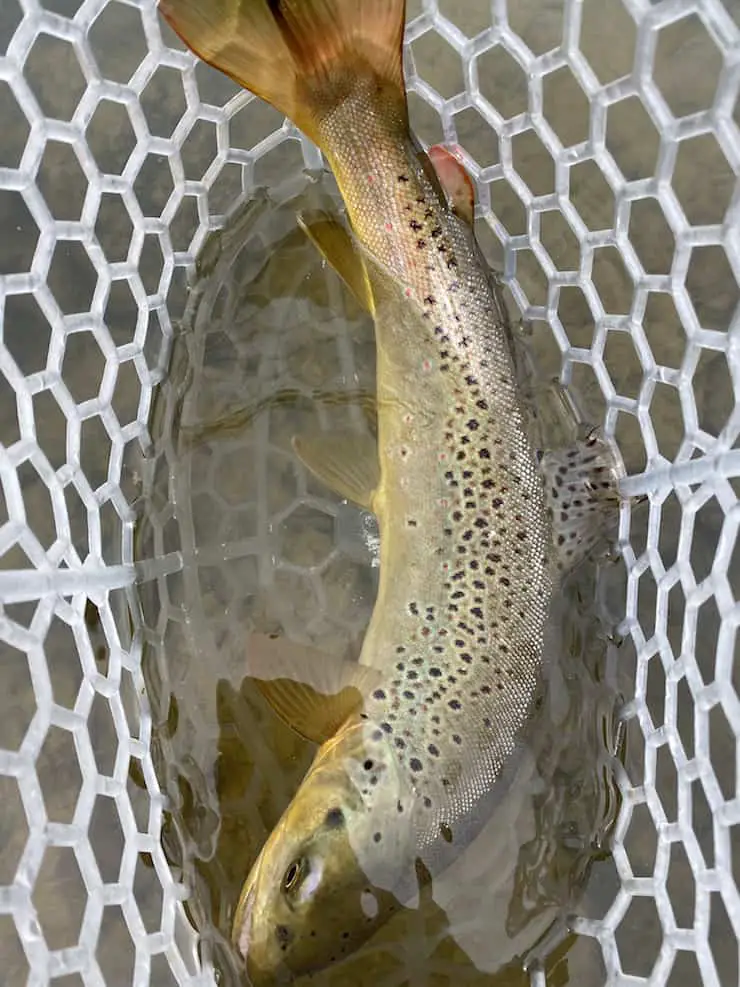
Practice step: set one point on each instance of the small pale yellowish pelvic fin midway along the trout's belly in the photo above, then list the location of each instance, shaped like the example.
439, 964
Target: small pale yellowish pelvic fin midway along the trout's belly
346, 462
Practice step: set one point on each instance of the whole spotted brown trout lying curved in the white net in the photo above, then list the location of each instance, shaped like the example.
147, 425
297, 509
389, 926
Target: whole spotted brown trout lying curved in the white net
418, 734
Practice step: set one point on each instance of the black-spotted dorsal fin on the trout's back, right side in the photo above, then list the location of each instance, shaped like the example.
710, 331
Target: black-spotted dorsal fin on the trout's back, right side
582, 495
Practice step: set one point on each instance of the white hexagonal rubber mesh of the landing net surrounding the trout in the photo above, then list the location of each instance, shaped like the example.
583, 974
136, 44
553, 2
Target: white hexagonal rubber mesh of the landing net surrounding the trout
603, 137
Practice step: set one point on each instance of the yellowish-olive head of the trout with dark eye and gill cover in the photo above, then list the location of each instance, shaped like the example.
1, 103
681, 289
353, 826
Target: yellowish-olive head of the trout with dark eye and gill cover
337, 865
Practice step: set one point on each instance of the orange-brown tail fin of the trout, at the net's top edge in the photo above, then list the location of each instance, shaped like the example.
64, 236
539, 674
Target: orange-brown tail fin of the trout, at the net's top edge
294, 53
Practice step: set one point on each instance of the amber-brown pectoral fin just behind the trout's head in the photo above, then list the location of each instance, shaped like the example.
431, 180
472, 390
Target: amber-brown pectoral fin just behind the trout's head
311, 692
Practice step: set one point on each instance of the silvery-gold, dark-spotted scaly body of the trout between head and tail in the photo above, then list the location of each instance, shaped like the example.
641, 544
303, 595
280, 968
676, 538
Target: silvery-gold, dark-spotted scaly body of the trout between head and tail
464, 569
